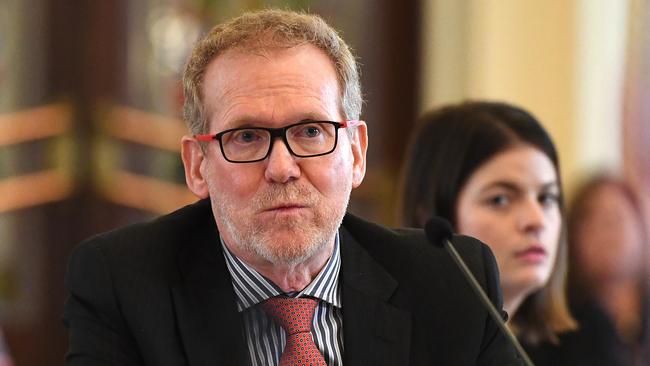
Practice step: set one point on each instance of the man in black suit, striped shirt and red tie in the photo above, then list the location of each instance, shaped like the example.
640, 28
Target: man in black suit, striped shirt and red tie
267, 268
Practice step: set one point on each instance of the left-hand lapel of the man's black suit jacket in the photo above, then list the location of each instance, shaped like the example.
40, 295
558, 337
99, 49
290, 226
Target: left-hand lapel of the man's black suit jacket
208, 321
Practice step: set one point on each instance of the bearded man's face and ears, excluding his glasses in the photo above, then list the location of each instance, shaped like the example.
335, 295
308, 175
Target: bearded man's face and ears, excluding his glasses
284, 209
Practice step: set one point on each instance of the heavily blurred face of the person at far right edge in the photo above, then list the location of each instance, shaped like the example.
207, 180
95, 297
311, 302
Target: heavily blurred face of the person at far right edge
609, 238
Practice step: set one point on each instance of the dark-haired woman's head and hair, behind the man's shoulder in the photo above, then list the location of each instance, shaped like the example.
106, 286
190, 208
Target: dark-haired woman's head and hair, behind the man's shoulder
492, 171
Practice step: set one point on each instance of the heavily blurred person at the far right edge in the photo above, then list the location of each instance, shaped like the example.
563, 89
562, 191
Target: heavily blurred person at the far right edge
609, 280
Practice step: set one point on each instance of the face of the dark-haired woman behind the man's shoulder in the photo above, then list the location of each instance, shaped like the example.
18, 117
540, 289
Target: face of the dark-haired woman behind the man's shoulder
511, 203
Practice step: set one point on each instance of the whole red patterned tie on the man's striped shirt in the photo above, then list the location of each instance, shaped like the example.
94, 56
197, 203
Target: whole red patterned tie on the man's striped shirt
295, 316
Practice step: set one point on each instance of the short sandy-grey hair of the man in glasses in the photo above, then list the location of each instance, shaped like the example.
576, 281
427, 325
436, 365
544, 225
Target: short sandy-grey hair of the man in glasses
263, 30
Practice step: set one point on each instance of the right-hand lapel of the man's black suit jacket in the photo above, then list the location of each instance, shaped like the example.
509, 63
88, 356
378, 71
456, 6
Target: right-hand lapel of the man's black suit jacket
375, 332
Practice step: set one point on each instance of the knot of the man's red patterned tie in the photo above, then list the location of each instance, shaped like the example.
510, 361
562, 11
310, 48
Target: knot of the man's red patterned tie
293, 314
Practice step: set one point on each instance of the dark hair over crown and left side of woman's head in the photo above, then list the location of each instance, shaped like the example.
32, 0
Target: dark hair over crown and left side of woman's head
451, 143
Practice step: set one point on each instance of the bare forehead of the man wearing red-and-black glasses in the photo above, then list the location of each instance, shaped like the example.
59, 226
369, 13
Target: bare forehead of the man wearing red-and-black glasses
237, 78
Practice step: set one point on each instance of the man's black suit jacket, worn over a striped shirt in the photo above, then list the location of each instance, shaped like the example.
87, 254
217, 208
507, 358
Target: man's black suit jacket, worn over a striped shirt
159, 294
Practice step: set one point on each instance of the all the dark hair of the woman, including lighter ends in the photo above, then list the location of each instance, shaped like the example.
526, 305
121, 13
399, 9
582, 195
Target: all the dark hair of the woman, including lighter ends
449, 145
